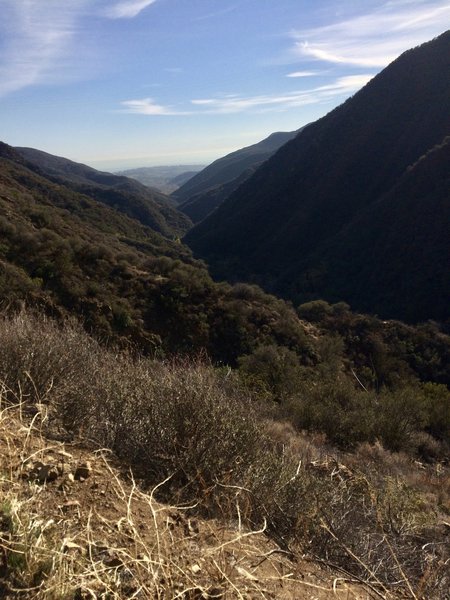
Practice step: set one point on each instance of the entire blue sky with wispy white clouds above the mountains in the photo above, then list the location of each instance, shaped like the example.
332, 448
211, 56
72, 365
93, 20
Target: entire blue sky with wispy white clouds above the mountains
126, 83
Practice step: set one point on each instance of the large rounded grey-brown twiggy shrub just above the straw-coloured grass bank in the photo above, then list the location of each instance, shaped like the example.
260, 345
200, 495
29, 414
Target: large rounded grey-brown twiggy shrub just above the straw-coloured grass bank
175, 419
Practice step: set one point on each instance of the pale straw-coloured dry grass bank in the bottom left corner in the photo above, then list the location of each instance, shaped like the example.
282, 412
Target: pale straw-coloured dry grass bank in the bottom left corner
105, 538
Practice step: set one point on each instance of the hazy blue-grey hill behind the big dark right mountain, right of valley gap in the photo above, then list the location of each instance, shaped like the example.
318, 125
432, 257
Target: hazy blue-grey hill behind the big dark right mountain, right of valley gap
204, 192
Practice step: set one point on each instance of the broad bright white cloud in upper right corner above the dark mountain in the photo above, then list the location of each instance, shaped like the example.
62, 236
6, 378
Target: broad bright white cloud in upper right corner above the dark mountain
374, 39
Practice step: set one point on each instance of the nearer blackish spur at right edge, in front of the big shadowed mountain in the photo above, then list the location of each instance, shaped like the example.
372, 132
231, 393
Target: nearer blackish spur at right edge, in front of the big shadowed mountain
398, 250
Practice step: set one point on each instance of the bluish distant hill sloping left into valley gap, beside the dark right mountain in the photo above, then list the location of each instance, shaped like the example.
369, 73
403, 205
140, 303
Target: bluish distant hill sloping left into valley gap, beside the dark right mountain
228, 168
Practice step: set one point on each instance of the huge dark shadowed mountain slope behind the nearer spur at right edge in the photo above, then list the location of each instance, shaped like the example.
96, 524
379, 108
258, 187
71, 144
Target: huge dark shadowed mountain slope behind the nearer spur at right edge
274, 224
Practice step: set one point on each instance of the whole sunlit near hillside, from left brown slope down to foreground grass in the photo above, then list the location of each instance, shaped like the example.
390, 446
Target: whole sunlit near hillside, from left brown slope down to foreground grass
98, 423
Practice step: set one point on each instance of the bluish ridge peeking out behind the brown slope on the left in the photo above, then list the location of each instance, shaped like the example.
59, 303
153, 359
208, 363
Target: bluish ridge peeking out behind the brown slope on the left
151, 207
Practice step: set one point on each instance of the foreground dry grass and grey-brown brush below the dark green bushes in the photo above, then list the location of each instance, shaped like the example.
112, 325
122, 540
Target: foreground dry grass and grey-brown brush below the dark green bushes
194, 440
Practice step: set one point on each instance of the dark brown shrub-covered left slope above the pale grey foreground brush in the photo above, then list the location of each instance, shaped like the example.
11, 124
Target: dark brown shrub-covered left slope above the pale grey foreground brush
71, 255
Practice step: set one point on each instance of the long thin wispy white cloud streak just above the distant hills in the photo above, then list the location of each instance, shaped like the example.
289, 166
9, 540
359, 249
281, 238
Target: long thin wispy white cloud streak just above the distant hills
235, 103
